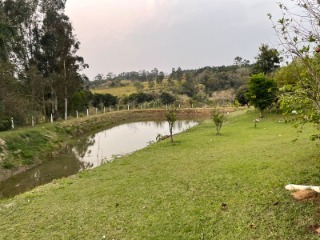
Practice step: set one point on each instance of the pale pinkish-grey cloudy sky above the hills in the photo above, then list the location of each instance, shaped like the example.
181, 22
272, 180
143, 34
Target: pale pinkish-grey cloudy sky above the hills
130, 35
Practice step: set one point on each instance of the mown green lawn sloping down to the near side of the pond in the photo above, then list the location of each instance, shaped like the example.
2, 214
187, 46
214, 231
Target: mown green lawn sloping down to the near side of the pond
201, 187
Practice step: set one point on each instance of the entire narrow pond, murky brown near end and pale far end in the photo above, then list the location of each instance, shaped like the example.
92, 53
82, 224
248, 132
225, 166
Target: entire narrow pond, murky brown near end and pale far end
91, 152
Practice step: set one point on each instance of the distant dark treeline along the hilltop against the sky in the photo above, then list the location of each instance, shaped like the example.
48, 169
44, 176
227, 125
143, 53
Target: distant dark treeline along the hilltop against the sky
206, 79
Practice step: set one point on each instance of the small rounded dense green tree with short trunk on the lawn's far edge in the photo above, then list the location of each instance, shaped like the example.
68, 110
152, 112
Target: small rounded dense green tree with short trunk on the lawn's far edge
261, 92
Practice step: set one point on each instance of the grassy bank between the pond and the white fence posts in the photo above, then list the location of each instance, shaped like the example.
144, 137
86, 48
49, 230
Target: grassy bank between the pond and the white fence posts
22, 148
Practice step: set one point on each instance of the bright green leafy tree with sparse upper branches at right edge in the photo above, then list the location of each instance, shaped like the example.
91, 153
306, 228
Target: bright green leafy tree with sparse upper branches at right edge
299, 35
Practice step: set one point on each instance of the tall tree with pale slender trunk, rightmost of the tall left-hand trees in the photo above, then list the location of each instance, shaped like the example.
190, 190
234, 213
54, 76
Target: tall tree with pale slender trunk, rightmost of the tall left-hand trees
58, 60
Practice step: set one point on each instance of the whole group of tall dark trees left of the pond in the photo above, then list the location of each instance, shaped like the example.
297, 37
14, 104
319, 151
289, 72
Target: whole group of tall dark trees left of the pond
38, 53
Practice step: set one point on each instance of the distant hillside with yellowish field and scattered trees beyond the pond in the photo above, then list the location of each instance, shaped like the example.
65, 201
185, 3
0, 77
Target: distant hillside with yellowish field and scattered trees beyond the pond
198, 84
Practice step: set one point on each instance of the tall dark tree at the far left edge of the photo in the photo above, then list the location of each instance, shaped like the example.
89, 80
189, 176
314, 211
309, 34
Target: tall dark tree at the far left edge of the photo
12, 95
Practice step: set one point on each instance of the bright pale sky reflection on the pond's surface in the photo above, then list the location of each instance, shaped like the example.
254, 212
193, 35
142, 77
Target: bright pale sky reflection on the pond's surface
124, 139
